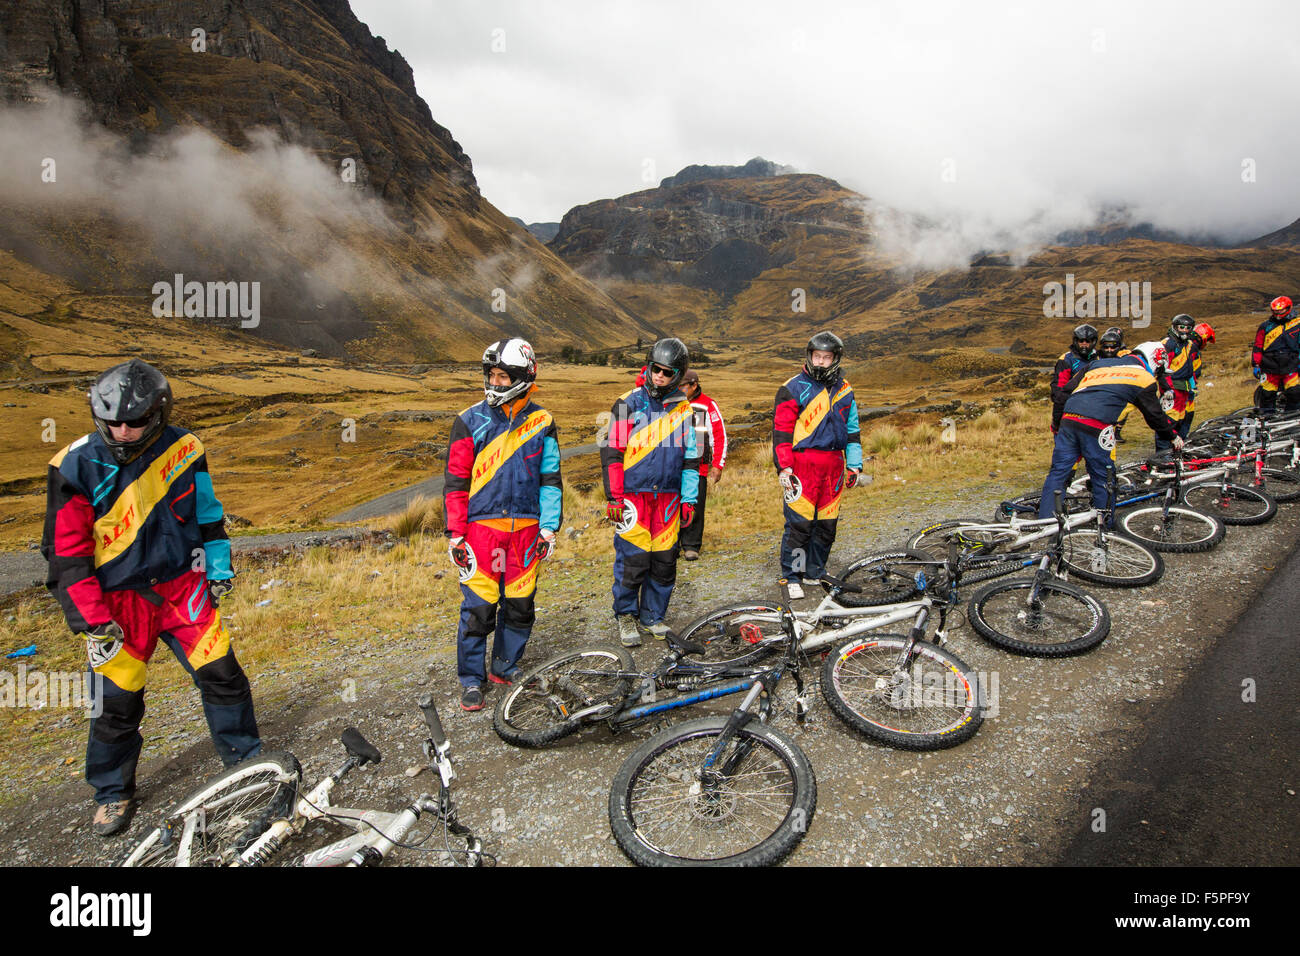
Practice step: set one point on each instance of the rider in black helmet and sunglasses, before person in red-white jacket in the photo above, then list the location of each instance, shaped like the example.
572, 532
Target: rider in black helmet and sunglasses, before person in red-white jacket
651, 469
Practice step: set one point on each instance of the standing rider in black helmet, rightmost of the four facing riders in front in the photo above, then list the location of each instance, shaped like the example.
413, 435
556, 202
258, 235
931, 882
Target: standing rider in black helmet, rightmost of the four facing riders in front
817, 449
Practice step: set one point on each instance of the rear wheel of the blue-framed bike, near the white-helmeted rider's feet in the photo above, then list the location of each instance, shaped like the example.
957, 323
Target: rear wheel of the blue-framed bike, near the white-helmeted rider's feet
539, 708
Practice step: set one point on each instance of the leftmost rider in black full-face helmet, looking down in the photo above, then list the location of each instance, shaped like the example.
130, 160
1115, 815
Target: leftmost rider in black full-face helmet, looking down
138, 553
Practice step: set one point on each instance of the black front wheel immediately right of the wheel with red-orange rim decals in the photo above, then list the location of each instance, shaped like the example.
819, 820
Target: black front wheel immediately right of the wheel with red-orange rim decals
1056, 621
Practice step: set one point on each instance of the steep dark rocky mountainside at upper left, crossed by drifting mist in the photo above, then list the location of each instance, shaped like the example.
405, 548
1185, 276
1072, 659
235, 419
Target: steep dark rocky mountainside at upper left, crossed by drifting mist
436, 270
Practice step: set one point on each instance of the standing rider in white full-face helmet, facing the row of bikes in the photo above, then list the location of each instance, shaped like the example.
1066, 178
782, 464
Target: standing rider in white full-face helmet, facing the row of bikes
504, 500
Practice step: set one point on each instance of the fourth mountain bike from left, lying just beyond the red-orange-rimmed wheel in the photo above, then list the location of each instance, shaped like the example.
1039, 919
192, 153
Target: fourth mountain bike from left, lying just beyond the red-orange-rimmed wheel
1039, 617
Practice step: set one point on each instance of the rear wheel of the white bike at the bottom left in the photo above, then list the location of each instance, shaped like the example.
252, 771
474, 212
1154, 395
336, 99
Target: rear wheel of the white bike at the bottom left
219, 823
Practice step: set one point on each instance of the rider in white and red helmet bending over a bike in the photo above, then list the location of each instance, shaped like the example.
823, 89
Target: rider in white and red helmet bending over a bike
1095, 400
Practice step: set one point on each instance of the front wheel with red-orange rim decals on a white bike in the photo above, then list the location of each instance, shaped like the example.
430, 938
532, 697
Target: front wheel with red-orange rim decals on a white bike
929, 703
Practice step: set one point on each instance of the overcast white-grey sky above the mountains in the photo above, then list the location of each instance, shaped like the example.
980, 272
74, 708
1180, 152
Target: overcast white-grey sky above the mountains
996, 114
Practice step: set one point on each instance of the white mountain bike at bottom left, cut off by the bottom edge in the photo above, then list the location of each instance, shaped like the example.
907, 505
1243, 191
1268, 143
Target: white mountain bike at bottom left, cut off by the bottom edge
245, 816
